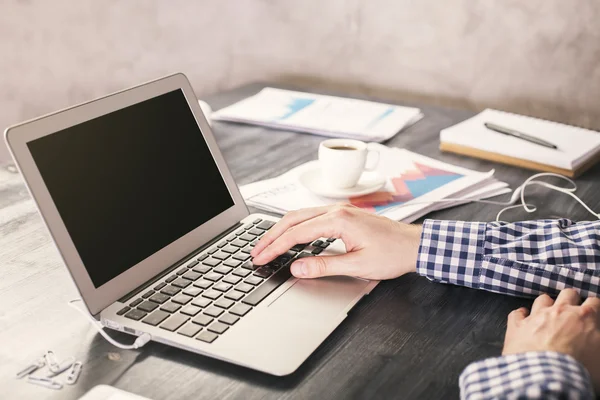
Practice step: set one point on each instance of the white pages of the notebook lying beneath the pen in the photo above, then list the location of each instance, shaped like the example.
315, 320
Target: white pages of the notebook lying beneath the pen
575, 145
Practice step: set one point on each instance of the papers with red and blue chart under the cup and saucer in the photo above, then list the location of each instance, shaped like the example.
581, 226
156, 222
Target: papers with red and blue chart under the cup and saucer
413, 184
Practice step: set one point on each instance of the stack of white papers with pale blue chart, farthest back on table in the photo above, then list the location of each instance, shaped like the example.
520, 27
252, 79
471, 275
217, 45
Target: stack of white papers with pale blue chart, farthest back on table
321, 115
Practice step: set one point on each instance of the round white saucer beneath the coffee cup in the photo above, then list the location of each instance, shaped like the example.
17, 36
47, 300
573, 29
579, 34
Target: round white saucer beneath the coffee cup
369, 182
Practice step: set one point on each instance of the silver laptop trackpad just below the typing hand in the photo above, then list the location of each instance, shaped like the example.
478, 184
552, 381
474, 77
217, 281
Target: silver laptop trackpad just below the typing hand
325, 297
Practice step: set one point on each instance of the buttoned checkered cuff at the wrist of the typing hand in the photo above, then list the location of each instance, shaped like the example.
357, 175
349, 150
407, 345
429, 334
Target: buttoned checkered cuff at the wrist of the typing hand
451, 251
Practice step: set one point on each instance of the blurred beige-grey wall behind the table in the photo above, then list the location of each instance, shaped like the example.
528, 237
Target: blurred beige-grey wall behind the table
540, 57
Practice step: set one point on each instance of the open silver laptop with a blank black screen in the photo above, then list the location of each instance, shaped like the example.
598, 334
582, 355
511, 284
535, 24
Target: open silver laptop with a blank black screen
156, 236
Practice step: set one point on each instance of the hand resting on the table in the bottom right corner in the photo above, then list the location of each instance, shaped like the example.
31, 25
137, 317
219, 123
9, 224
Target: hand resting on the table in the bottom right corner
563, 326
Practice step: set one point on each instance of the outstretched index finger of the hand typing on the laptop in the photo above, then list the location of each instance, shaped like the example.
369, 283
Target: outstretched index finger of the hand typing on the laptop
325, 225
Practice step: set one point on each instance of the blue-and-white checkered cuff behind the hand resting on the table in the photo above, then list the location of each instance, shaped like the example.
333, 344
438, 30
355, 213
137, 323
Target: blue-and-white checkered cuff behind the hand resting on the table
534, 375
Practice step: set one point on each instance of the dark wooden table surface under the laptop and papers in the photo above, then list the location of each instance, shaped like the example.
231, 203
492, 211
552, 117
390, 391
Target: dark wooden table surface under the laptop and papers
410, 338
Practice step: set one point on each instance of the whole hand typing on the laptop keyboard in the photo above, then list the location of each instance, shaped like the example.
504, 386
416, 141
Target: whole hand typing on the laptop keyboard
377, 247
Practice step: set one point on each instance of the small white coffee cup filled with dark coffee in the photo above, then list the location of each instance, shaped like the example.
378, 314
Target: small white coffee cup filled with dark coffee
343, 161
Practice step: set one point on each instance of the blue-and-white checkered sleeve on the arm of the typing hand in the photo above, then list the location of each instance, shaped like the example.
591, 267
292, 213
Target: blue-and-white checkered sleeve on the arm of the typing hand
521, 259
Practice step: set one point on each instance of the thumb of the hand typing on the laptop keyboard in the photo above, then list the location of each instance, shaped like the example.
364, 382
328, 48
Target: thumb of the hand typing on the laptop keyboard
315, 267
